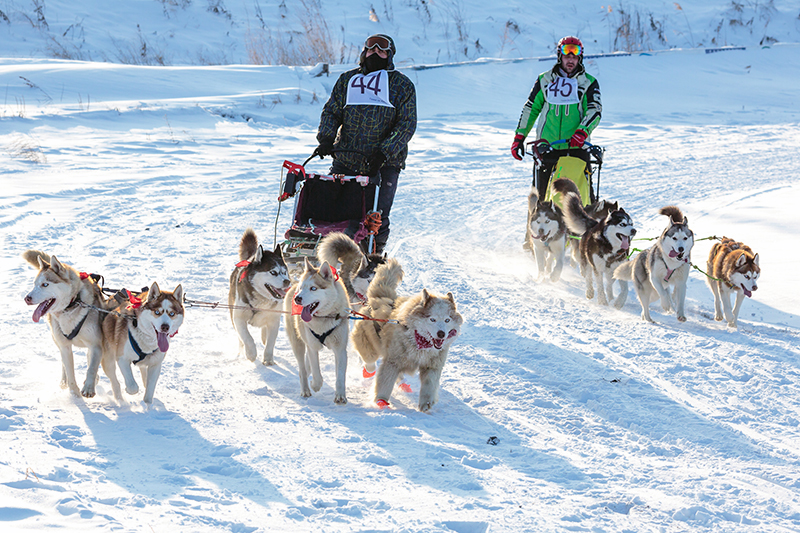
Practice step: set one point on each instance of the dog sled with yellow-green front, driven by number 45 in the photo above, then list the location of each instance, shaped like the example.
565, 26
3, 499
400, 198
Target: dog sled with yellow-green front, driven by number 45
579, 165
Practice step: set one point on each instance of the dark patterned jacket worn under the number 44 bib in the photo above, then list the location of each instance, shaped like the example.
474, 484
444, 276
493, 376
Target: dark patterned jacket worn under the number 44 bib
367, 128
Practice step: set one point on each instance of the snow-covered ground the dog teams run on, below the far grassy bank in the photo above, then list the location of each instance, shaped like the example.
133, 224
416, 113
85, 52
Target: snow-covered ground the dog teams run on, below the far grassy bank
603, 422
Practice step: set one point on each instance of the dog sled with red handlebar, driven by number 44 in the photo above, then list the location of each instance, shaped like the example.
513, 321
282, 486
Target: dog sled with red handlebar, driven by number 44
324, 204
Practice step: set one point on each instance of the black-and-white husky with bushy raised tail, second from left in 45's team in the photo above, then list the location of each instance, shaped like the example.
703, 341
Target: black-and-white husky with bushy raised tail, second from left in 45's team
603, 246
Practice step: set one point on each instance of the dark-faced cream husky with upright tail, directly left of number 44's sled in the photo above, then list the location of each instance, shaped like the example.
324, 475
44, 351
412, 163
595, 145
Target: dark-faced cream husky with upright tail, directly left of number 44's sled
258, 285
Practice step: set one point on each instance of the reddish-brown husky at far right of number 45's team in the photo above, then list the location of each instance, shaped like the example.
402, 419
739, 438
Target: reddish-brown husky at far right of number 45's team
736, 269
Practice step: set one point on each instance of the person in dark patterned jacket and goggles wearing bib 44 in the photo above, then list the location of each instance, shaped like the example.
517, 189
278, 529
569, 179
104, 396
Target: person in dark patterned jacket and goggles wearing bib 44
367, 122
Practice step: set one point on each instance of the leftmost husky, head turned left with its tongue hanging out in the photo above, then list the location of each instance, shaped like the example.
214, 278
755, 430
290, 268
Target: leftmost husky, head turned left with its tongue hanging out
70, 300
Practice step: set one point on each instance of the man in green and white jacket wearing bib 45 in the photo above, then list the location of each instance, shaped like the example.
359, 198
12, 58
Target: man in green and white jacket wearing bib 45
566, 100
